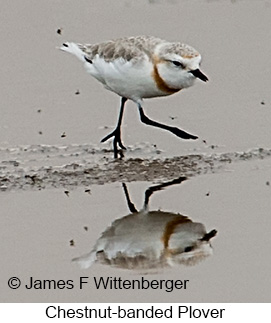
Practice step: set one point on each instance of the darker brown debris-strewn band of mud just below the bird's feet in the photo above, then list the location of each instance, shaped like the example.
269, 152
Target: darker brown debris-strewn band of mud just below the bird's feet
86, 173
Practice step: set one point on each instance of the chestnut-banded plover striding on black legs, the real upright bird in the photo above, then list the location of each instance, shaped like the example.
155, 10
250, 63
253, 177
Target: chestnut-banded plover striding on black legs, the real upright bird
140, 67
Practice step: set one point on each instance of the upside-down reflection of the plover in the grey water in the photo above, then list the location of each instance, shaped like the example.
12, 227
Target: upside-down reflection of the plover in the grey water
150, 239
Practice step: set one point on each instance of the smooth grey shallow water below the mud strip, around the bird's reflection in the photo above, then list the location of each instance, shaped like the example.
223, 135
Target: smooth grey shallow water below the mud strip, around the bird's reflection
44, 230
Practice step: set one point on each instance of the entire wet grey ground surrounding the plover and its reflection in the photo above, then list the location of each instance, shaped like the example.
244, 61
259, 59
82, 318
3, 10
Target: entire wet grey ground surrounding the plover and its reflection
60, 188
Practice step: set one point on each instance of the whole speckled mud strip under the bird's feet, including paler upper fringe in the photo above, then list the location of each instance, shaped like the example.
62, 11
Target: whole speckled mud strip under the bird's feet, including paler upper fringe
36, 172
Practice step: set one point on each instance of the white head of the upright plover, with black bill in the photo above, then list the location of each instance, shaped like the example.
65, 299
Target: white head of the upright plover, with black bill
178, 65
